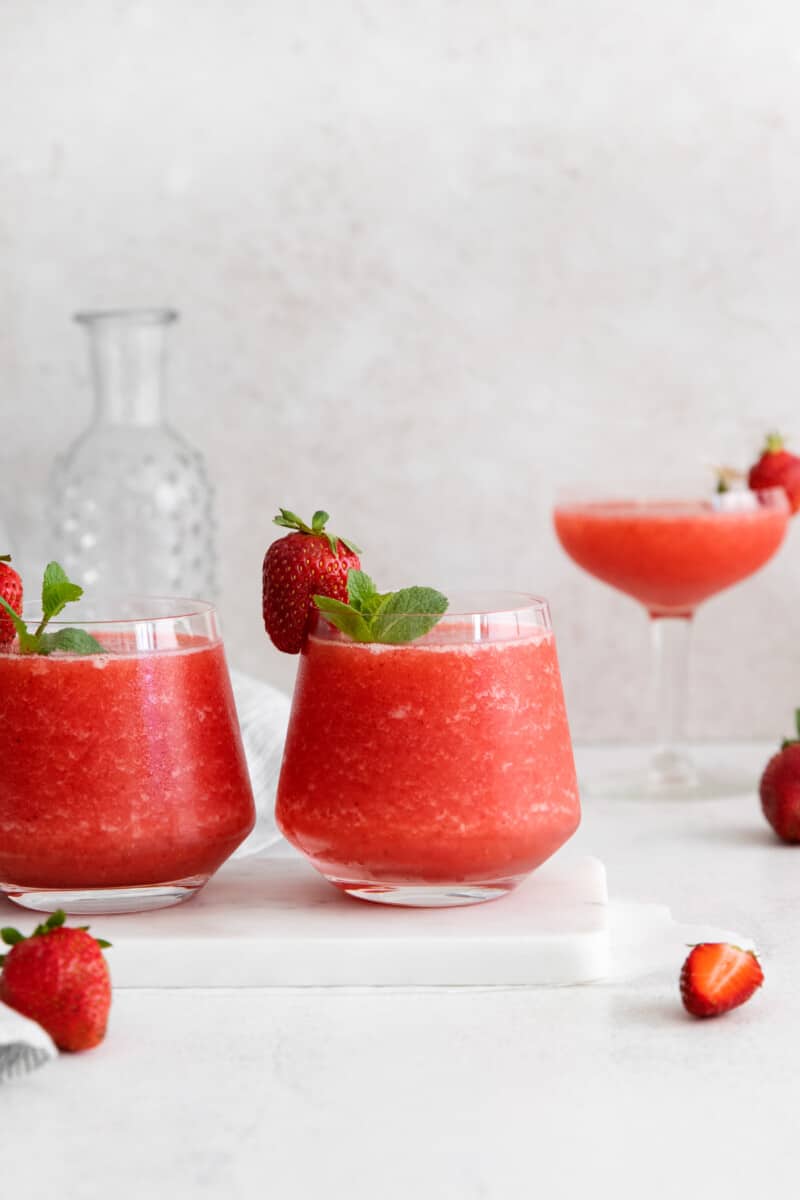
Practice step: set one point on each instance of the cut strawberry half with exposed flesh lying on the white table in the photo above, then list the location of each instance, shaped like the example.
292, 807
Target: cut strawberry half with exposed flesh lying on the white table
718, 977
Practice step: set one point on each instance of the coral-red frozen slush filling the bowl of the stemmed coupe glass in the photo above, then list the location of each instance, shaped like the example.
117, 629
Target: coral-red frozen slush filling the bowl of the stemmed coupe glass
670, 556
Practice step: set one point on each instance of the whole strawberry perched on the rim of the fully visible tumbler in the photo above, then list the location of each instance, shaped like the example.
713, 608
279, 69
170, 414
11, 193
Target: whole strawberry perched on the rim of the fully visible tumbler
296, 568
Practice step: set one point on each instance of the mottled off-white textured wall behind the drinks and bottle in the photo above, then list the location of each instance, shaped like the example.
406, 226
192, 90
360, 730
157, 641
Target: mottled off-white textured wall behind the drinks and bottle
435, 260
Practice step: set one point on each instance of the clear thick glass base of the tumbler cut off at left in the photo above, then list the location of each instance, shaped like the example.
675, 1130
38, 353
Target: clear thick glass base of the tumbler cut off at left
97, 902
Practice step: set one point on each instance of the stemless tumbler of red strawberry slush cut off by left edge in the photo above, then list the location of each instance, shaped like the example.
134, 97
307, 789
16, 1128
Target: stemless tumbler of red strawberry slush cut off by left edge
124, 777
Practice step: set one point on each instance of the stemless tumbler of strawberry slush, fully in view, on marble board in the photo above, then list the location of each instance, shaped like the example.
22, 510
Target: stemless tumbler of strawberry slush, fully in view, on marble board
436, 772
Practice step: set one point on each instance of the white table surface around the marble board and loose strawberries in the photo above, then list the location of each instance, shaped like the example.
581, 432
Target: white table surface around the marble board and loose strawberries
467, 1094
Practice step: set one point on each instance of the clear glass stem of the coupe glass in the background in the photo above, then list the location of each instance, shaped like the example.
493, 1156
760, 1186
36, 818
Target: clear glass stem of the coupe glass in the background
671, 765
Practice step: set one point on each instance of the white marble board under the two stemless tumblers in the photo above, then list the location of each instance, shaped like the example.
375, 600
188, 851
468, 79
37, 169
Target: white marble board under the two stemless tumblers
274, 922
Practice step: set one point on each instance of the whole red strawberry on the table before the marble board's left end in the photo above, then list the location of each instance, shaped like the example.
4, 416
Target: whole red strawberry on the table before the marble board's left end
58, 977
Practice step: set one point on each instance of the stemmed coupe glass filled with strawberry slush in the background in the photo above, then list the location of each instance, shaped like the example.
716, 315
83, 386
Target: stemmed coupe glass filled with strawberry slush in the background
673, 556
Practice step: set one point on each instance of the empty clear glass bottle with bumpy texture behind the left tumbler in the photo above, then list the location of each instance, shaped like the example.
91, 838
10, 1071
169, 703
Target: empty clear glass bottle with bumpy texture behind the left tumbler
134, 501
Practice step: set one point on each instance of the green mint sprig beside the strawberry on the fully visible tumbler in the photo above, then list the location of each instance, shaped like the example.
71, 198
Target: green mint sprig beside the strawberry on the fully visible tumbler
389, 617
